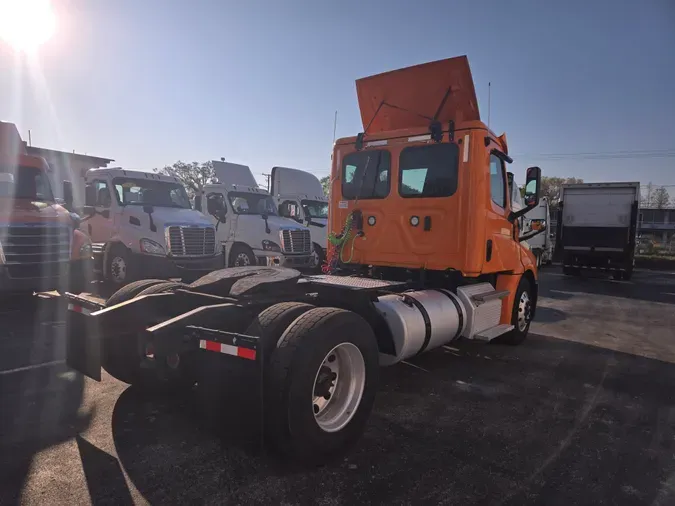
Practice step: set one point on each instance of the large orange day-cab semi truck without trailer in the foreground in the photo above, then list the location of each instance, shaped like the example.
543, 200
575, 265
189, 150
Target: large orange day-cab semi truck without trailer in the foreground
425, 250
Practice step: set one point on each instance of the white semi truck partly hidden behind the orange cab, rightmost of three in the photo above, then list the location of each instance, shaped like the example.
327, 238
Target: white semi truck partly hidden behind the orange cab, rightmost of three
300, 197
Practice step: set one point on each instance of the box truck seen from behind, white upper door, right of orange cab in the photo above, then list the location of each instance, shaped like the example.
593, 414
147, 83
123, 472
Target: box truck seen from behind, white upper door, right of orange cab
597, 227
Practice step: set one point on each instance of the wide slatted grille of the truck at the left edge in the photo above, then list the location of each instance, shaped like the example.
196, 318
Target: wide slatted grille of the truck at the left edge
34, 251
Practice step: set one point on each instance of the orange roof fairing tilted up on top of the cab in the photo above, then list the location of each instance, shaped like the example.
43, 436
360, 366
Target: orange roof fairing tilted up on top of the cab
412, 96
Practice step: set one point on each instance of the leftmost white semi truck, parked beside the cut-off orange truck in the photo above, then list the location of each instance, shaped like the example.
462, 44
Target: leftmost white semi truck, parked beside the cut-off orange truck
142, 226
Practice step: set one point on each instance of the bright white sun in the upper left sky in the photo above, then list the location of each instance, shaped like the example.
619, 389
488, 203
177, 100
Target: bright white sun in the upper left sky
26, 24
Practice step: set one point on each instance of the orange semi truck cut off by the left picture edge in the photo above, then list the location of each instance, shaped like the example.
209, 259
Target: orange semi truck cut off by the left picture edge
41, 247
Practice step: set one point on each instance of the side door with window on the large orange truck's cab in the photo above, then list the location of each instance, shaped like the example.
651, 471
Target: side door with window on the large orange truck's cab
501, 246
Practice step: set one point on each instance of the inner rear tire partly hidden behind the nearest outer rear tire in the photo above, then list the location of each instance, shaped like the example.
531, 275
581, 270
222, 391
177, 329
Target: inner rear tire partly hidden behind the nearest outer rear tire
272, 322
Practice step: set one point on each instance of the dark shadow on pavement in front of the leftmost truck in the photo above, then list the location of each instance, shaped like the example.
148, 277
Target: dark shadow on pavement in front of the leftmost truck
38, 407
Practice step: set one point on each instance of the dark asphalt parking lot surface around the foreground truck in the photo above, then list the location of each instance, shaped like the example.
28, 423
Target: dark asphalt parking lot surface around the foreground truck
582, 413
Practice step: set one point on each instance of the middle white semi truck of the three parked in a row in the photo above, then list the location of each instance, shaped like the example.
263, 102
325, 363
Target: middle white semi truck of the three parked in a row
247, 222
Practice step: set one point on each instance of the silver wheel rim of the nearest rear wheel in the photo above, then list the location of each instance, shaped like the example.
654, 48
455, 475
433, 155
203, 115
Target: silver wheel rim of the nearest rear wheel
338, 387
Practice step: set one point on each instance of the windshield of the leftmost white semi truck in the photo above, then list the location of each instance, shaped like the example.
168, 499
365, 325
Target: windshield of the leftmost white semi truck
150, 192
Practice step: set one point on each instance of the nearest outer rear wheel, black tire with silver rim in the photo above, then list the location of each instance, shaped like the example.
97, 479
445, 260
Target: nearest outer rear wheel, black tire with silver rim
291, 426
